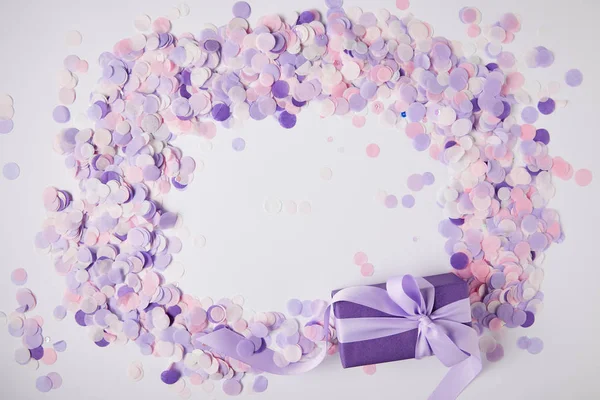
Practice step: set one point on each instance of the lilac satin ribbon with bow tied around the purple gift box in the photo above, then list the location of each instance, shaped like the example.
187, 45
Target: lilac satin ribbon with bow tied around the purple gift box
409, 302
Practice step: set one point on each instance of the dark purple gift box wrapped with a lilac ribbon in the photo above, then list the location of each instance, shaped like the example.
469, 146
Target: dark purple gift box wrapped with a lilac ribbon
448, 289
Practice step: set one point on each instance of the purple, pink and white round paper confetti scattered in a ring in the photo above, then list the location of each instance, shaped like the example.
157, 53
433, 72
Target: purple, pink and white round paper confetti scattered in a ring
114, 242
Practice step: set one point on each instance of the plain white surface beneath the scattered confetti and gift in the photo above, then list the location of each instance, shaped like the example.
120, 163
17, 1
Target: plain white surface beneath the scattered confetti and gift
270, 258
